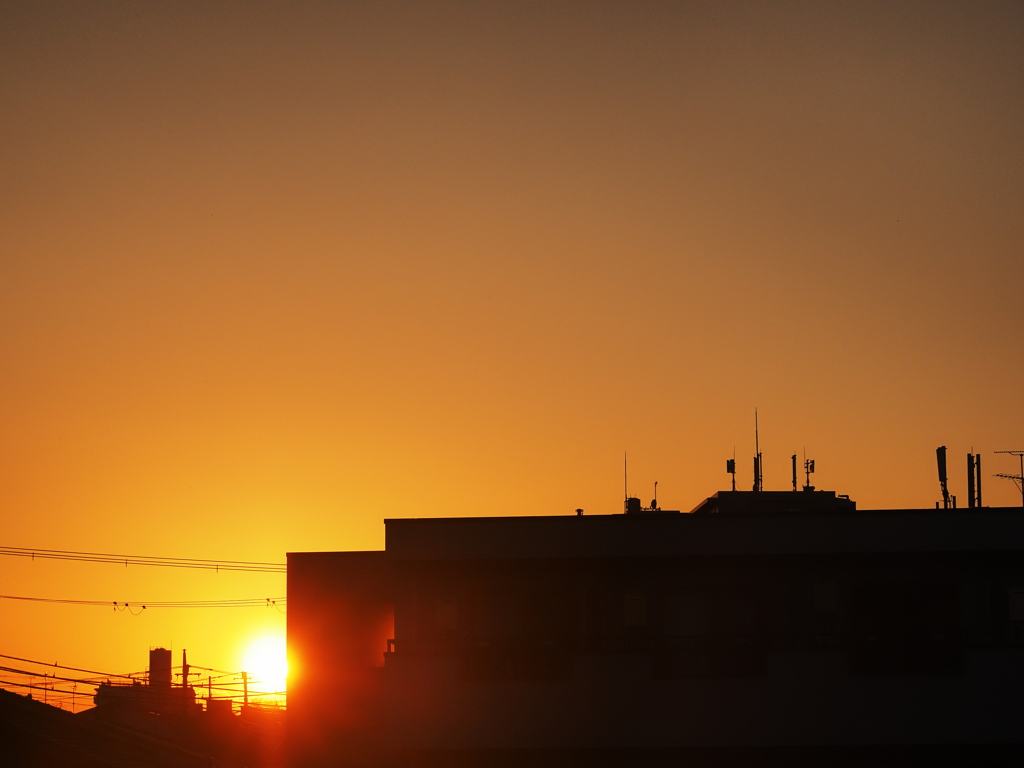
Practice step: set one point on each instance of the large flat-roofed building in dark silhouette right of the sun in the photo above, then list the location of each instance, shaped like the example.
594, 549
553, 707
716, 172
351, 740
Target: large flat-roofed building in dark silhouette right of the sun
764, 628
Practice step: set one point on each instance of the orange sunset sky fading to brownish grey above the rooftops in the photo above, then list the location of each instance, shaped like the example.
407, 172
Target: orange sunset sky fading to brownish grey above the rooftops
272, 273
